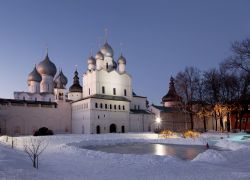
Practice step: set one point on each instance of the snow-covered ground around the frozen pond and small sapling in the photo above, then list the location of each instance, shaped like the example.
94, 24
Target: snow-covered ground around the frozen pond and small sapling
63, 159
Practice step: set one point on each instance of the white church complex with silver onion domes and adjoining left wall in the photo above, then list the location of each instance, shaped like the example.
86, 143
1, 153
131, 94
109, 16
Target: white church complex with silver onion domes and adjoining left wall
105, 103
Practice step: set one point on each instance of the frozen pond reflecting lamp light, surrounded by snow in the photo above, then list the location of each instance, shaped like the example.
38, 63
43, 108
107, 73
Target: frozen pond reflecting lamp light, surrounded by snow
185, 152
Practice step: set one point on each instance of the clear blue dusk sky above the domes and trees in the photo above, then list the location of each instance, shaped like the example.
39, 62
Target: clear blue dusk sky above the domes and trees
159, 37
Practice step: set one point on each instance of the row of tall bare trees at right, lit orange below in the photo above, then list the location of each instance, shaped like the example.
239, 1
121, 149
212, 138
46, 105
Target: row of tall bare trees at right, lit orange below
218, 92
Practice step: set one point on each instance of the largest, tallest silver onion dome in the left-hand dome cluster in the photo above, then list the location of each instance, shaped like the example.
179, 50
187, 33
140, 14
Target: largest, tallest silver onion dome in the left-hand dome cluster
46, 67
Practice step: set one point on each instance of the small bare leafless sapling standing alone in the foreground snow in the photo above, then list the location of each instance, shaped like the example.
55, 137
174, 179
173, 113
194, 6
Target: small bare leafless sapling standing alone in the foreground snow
34, 148
